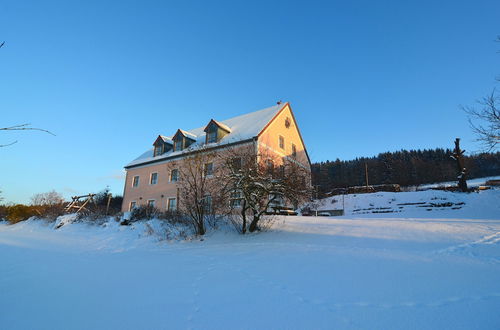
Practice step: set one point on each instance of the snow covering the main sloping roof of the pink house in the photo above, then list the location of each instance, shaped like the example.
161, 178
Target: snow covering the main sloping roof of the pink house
241, 128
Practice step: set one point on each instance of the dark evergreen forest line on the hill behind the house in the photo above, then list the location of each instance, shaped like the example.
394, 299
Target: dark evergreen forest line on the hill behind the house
405, 167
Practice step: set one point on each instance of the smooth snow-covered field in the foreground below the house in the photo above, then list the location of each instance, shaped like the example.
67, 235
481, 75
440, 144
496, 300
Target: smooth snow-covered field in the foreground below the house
413, 270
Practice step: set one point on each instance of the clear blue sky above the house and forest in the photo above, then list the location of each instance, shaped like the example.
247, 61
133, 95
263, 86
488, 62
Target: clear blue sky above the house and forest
107, 77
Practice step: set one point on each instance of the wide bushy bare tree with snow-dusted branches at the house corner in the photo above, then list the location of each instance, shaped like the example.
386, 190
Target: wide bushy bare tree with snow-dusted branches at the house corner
258, 184
